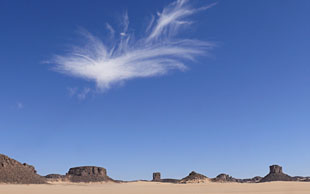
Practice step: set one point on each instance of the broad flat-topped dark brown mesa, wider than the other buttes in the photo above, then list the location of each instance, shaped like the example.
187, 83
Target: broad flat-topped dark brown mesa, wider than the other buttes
88, 174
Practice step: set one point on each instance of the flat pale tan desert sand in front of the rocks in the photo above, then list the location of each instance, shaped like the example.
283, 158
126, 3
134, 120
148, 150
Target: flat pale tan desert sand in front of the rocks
160, 188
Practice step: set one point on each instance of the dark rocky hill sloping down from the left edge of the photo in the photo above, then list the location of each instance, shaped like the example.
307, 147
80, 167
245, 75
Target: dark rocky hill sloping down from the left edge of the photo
12, 171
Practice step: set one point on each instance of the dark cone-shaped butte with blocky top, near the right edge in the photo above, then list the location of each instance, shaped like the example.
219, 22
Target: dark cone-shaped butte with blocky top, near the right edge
276, 174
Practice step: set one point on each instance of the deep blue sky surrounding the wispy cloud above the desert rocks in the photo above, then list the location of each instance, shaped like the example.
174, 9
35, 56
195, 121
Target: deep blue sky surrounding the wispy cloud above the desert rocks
237, 108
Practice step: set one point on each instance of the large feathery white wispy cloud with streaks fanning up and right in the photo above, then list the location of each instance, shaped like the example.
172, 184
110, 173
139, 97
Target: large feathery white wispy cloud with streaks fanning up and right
155, 53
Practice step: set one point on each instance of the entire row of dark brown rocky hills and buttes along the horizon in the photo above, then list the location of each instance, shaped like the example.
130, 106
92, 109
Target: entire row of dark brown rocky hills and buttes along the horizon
12, 171
